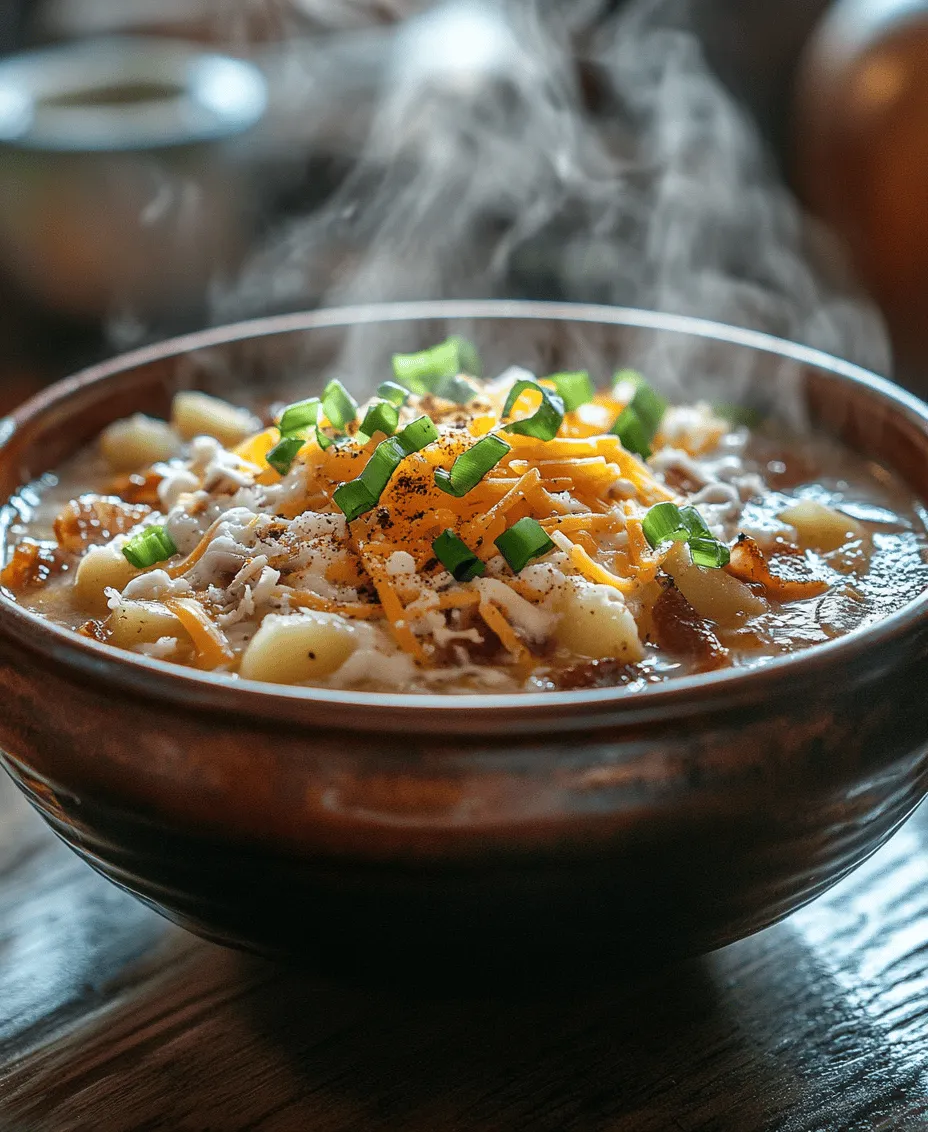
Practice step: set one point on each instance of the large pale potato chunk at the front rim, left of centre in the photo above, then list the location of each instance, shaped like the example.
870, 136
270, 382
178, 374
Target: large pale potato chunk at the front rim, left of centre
298, 649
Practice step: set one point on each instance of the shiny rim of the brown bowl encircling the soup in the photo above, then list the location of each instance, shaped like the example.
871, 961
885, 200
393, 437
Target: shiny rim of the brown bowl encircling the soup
391, 713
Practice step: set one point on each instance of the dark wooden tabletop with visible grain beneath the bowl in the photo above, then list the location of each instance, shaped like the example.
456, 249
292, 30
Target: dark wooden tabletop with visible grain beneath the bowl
113, 1020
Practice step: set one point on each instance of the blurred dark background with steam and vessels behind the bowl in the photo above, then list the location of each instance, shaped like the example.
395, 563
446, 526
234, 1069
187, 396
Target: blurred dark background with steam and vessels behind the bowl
170, 165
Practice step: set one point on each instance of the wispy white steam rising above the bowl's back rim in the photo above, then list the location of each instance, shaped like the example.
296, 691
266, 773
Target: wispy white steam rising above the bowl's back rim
488, 173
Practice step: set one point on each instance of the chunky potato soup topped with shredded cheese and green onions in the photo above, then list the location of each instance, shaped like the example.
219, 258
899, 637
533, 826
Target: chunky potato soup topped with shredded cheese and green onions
456, 535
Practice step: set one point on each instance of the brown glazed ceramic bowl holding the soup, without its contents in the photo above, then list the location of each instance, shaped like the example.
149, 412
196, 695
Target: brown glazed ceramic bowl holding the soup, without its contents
451, 833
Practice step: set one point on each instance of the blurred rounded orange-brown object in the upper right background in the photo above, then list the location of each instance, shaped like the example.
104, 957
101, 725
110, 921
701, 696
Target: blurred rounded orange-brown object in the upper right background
861, 143
